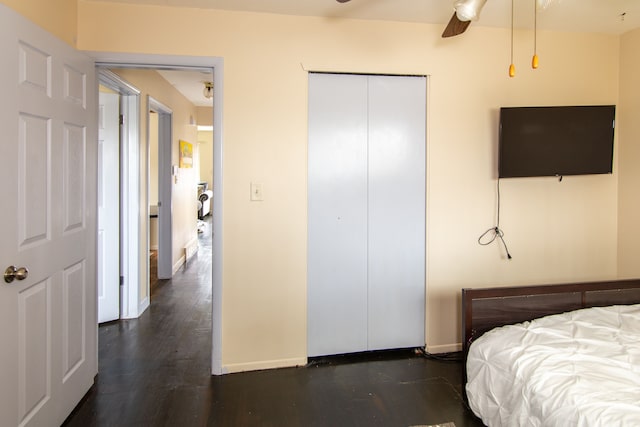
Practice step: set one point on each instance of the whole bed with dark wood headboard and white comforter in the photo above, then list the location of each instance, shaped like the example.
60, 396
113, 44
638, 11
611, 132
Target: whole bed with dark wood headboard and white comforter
553, 355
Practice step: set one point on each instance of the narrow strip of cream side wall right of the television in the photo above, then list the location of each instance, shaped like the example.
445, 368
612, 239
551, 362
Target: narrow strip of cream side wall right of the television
629, 154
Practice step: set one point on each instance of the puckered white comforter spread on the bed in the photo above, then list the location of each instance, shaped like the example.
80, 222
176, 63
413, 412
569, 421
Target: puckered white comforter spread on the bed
573, 369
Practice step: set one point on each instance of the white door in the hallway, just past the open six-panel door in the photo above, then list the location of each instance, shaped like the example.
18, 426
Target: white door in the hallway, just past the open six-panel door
108, 207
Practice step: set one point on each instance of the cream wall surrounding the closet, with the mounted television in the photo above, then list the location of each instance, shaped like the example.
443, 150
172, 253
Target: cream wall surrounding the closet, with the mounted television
557, 232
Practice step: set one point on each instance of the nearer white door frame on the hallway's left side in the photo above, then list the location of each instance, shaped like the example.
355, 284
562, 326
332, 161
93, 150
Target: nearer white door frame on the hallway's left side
130, 308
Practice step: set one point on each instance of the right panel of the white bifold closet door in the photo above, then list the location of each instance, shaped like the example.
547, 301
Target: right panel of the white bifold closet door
396, 212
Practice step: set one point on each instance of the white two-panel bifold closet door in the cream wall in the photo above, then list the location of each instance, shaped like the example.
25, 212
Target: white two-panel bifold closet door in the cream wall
366, 213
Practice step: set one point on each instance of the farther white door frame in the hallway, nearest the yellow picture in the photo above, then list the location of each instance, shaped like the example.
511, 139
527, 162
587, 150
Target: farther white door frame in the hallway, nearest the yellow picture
164, 168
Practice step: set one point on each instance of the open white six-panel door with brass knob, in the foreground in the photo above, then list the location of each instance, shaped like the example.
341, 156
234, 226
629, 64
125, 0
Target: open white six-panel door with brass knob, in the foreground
48, 224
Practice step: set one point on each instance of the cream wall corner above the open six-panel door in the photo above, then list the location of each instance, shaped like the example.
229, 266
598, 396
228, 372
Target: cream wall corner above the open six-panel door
58, 17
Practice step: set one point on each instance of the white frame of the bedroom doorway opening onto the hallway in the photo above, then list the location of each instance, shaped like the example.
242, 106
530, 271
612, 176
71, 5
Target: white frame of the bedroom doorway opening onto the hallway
130, 60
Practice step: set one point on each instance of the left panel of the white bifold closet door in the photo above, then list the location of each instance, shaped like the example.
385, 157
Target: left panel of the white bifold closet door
337, 213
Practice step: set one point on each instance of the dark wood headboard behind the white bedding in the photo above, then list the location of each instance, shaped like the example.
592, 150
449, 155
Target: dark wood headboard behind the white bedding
487, 308
